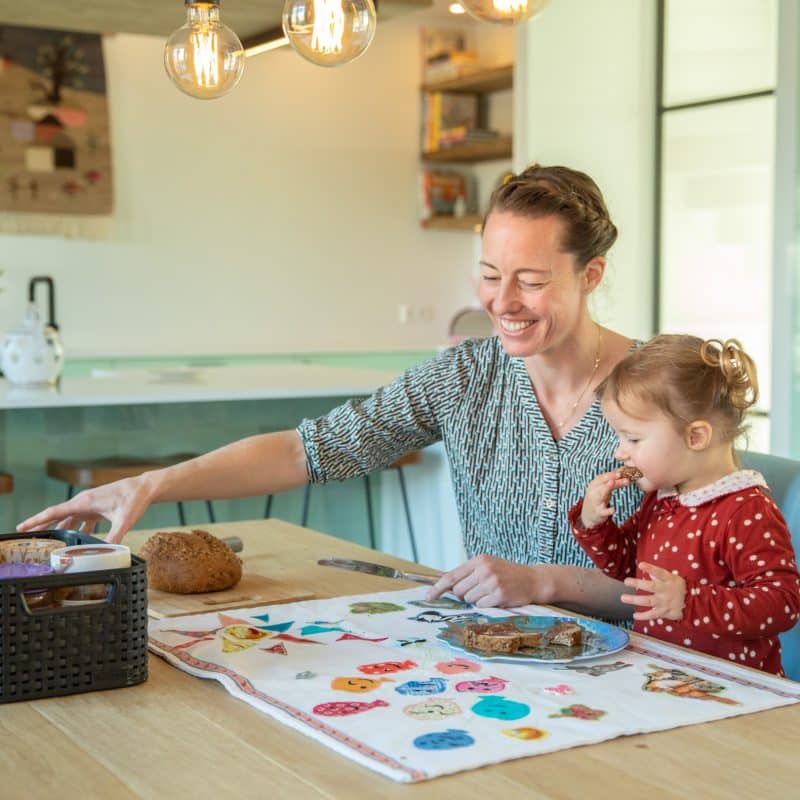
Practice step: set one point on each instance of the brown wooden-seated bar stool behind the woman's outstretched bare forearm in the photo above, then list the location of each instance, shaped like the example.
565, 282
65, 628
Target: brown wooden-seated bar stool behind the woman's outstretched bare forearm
89, 473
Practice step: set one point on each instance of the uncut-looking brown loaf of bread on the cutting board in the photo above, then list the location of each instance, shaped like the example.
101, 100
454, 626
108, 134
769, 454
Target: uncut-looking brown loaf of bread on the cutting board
190, 563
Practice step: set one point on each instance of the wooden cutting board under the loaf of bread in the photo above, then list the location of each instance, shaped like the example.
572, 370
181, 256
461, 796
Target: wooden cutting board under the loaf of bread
252, 590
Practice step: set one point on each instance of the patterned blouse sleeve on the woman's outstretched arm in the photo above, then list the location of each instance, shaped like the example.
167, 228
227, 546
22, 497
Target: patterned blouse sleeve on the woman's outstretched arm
360, 436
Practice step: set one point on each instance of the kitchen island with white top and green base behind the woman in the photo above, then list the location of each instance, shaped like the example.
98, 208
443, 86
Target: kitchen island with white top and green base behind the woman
155, 407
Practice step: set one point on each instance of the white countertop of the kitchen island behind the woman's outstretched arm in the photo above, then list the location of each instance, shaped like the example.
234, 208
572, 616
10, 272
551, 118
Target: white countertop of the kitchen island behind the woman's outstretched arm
197, 384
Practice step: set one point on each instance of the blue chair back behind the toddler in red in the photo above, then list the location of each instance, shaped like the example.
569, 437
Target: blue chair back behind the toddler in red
783, 477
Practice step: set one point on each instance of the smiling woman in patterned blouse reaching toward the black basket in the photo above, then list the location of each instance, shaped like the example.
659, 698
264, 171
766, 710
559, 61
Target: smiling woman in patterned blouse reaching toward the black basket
516, 413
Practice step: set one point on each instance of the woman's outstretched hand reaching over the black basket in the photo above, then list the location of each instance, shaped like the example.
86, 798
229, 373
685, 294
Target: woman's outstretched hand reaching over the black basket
122, 503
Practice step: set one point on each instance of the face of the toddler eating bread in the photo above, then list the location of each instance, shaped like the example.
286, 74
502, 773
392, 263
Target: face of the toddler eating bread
650, 442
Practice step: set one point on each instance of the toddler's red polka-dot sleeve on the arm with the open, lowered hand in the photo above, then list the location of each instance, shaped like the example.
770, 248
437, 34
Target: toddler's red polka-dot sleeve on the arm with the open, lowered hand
764, 596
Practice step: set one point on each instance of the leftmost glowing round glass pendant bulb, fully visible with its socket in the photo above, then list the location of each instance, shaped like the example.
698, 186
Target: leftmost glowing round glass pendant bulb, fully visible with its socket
204, 58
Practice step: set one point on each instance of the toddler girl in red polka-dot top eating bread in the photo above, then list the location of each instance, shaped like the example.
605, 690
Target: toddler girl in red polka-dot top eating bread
710, 551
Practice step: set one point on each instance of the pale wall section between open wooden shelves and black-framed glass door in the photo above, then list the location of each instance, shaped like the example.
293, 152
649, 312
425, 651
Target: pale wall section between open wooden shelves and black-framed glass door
585, 84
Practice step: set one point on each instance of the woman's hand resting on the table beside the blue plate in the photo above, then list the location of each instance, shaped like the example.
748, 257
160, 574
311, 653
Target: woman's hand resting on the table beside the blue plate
492, 582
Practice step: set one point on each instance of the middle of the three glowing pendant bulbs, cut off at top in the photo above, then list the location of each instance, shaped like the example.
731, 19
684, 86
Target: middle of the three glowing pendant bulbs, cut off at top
329, 33
